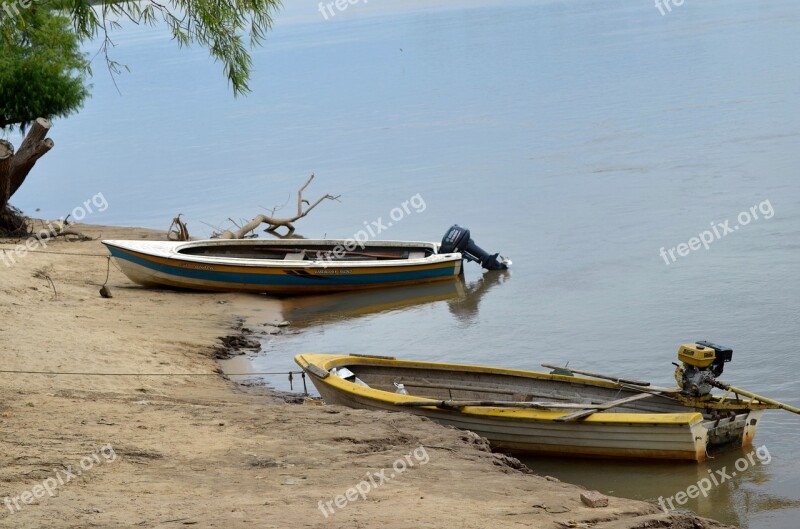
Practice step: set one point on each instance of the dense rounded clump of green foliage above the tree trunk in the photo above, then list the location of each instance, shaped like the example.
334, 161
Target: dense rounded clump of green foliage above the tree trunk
42, 68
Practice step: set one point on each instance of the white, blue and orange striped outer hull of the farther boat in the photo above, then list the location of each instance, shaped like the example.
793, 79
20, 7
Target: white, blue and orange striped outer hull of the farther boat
171, 269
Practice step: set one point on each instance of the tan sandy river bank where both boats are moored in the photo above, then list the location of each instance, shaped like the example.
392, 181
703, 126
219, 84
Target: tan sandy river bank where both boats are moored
172, 451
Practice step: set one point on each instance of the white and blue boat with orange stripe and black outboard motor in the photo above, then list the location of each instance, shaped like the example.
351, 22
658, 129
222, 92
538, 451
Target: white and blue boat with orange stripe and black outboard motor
295, 266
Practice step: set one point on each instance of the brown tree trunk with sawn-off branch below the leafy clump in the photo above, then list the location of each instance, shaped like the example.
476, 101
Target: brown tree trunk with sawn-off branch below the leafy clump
14, 168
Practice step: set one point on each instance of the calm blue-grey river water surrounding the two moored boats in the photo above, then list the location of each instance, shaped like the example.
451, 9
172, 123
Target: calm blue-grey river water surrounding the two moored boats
577, 137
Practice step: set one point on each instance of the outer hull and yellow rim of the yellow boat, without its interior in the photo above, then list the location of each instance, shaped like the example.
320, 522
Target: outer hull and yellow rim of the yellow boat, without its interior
678, 435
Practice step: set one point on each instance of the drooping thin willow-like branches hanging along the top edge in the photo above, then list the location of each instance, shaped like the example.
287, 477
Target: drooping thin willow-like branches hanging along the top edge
227, 28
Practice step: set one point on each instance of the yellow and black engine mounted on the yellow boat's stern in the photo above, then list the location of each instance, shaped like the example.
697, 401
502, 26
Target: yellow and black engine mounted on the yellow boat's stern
701, 363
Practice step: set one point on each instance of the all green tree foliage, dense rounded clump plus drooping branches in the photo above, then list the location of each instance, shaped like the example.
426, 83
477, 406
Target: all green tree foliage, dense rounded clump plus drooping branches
44, 73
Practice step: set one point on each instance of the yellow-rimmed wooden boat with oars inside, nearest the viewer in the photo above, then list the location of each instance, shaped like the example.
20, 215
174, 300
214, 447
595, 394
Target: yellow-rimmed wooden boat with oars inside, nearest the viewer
541, 413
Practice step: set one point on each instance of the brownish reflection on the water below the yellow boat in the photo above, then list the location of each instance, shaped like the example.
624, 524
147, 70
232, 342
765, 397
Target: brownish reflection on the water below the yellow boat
735, 481
